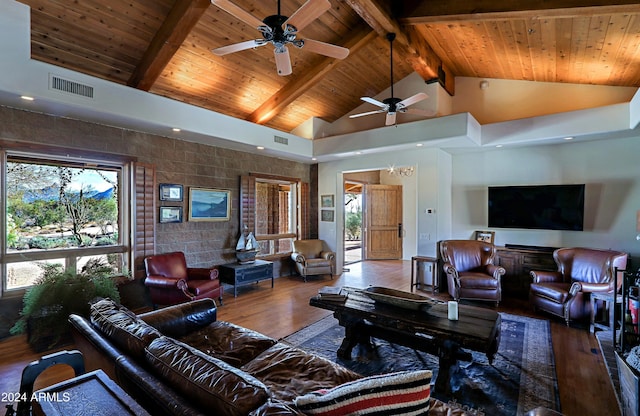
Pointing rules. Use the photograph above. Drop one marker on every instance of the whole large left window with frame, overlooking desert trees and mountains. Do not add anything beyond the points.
(64, 211)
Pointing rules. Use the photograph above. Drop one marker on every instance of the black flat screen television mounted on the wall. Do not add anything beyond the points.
(546, 207)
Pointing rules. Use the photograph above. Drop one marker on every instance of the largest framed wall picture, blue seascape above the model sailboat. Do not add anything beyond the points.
(209, 204)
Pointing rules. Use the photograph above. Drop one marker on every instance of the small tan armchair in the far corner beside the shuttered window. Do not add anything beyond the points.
(313, 257)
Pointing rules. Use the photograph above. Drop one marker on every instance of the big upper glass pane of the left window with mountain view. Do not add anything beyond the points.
(60, 206)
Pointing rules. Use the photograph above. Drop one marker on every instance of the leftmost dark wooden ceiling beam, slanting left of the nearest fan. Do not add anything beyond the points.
(174, 30)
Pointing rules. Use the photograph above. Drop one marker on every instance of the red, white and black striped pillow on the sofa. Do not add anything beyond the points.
(403, 393)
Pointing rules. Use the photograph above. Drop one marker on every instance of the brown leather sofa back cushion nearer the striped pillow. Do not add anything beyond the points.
(212, 383)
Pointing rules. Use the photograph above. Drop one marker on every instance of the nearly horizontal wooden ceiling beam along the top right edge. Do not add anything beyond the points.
(416, 12)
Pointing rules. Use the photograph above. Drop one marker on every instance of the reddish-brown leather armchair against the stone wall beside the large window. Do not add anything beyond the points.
(170, 281)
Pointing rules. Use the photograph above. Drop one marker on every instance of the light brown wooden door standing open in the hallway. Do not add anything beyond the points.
(383, 222)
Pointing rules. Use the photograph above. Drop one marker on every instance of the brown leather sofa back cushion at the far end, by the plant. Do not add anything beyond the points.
(122, 327)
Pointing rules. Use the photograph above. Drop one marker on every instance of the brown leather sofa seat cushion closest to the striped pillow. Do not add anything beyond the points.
(289, 372)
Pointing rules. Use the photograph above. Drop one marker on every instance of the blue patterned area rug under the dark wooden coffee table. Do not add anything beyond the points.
(522, 376)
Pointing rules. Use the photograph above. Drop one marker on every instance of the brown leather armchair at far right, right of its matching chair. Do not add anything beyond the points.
(581, 271)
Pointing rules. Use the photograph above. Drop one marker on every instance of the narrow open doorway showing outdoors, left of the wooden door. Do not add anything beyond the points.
(353, 230)
